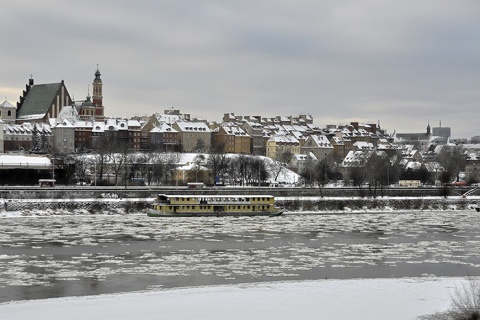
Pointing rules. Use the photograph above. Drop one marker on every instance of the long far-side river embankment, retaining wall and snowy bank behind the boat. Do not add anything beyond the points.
(134, 200)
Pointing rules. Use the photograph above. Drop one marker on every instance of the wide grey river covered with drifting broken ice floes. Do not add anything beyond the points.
(57, 256)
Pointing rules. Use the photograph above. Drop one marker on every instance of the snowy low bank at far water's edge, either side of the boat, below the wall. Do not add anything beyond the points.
(304, 205)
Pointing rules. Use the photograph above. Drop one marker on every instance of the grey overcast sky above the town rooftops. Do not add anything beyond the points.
(400, 63)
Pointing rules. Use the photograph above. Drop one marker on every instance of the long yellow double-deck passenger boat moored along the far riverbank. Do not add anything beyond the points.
(214, 205)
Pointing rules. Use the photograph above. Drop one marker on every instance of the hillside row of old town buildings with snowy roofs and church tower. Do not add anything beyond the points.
(47, 120)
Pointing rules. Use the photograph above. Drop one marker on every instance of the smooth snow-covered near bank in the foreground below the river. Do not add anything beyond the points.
(357, 299)
